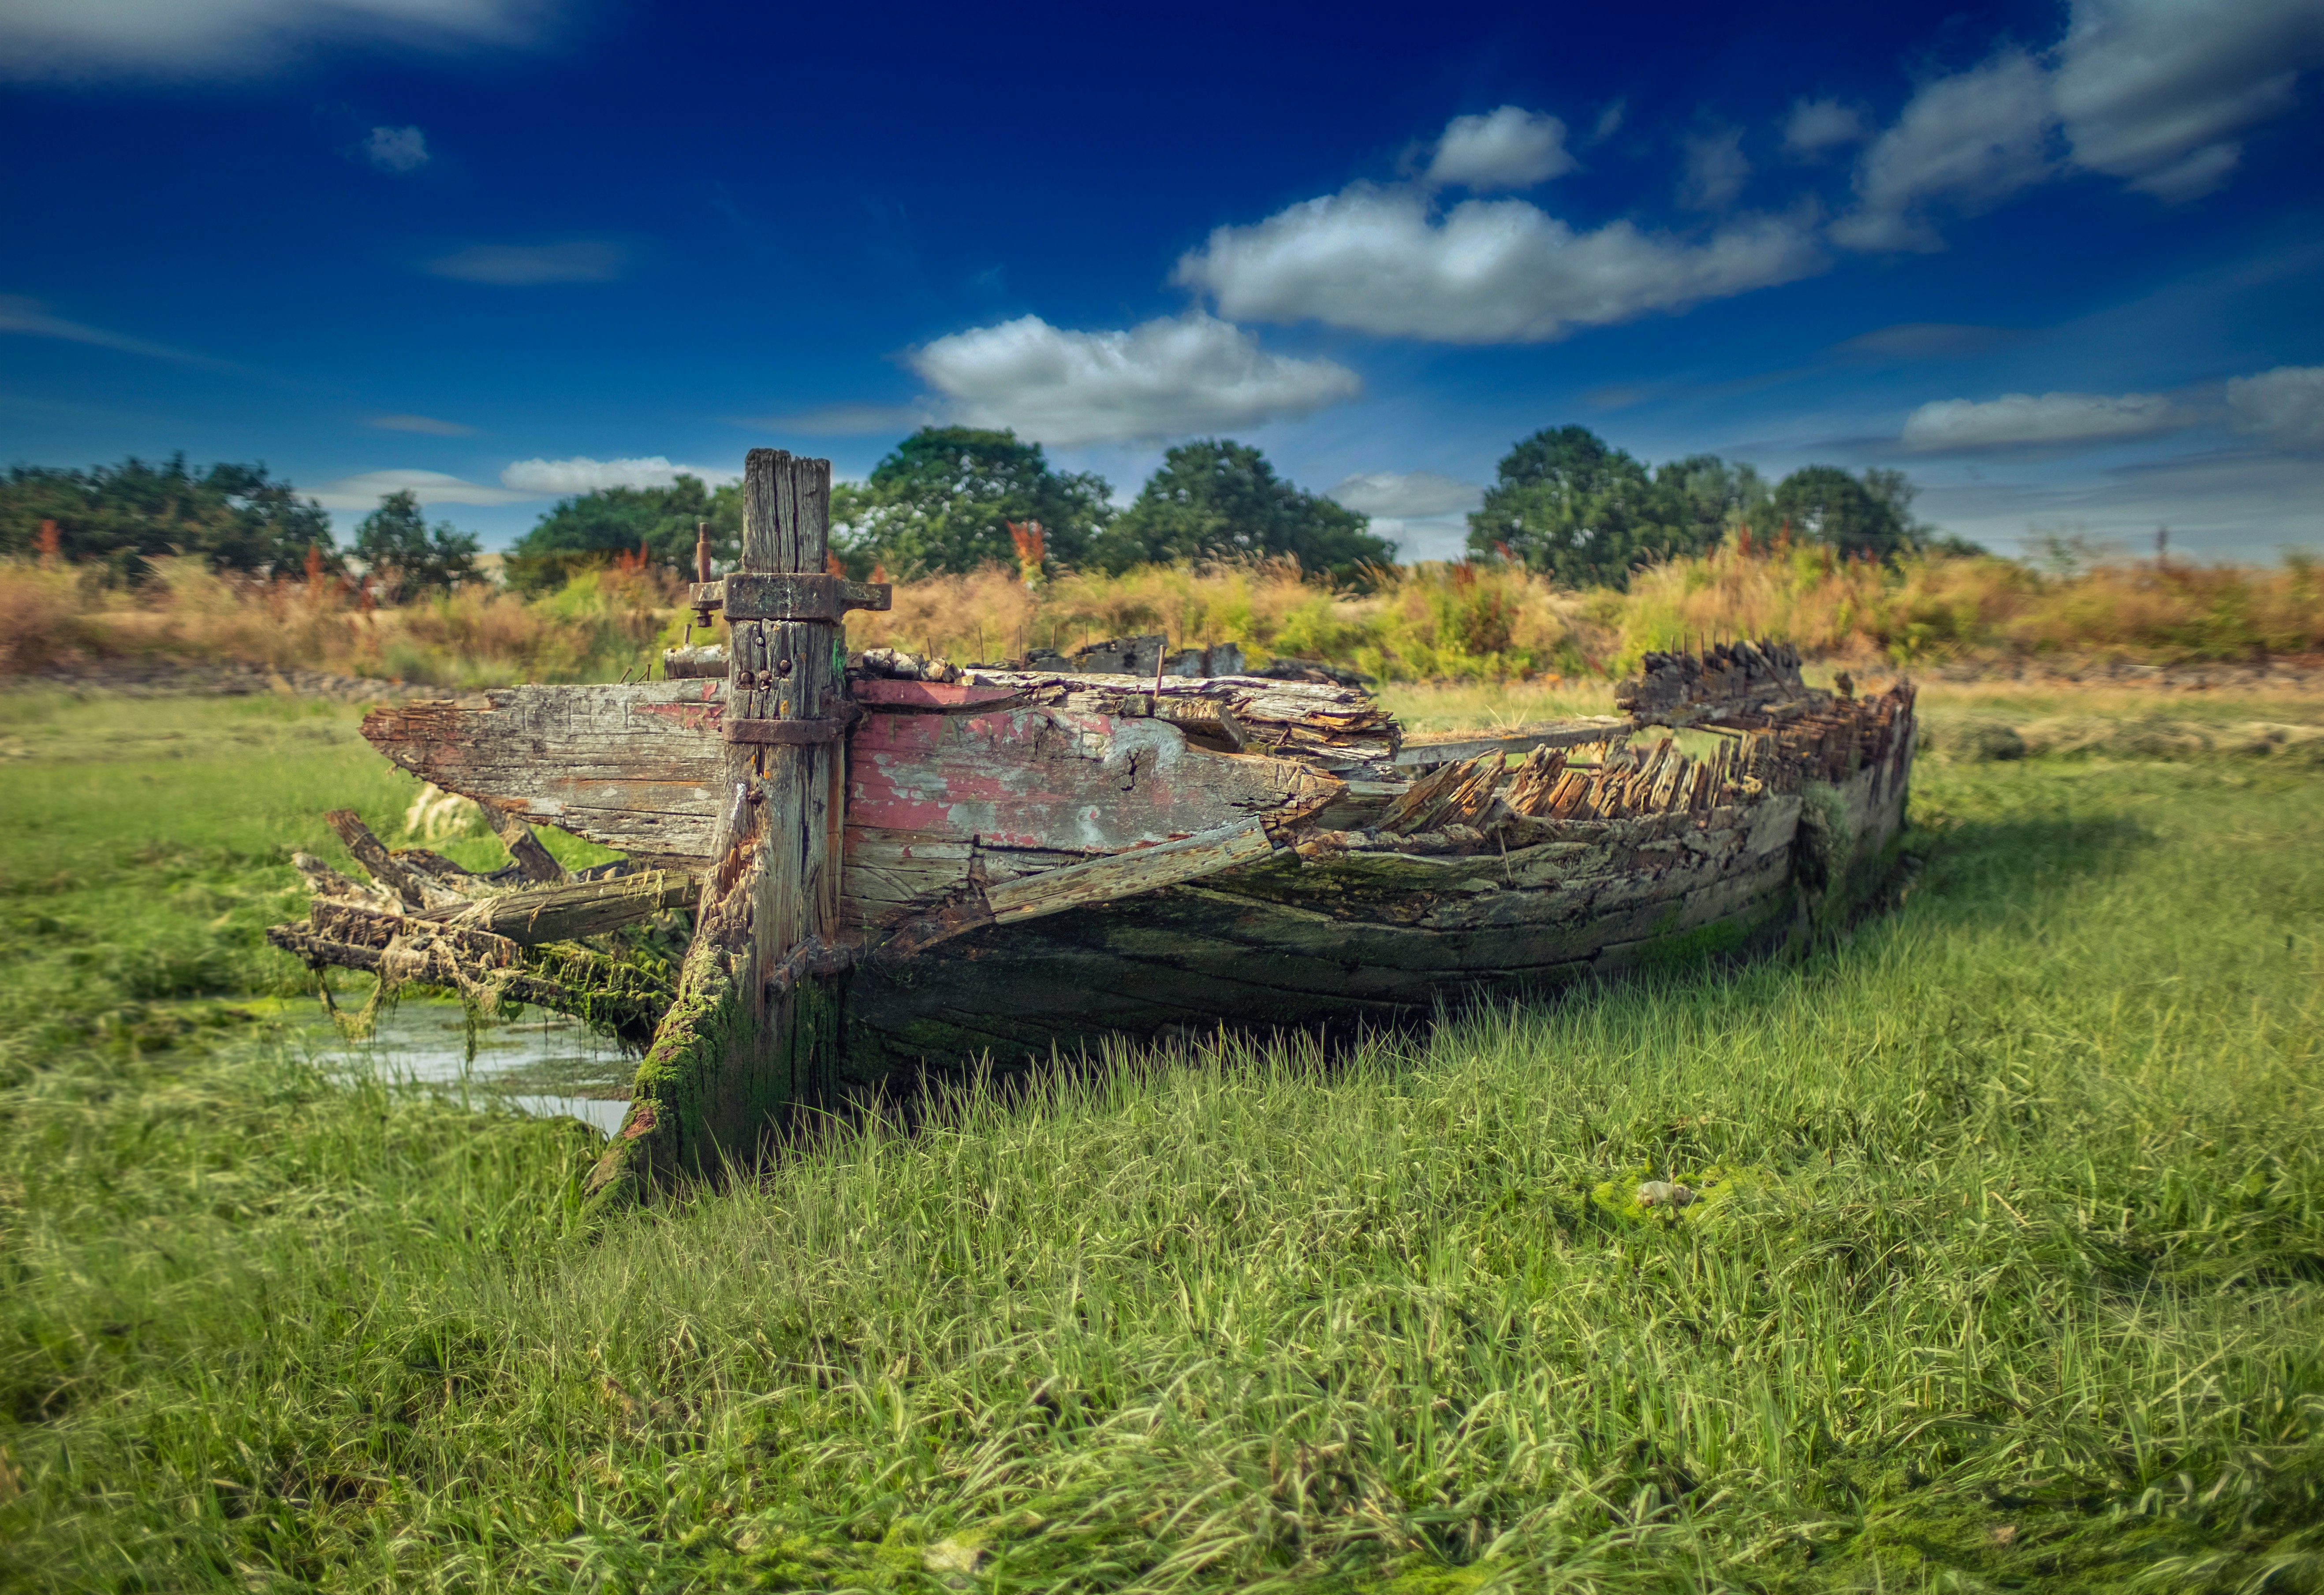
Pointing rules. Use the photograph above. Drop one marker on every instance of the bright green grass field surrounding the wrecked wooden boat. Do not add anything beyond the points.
(2011, 1271)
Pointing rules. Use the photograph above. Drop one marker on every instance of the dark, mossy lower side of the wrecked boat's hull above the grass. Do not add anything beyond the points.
(1375, 938)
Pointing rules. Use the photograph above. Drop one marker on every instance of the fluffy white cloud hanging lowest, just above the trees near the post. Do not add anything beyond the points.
(1159, 380)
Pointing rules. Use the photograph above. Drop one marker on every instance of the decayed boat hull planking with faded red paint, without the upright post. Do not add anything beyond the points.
(1035, 864)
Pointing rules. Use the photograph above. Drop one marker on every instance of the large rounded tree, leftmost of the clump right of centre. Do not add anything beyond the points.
(1572, 506)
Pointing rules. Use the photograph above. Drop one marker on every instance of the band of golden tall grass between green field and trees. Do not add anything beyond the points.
(1472, 624)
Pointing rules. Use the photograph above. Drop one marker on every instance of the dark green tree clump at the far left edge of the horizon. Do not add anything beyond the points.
(236, 517)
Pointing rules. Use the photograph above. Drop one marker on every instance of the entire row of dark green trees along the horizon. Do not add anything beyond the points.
(1565, 503)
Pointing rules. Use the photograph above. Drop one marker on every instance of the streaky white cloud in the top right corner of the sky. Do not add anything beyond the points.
(2156, 92)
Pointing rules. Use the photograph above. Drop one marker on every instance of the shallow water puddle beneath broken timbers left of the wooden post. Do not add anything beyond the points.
(538, 1064)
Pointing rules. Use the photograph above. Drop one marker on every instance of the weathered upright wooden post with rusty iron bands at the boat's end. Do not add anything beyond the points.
(756, 1020)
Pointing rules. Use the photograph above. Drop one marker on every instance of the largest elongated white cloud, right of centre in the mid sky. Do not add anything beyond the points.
(1489, 273)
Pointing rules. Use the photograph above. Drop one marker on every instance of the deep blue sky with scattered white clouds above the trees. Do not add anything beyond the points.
(2065, 264)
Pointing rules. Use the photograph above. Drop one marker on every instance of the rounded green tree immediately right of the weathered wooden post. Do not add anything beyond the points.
(947, 494)
